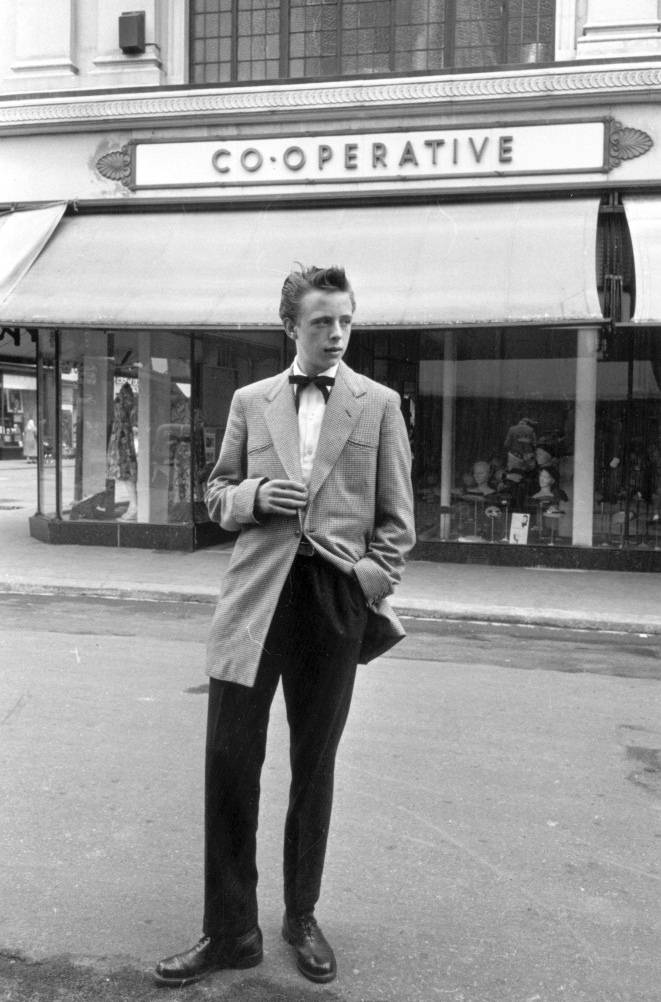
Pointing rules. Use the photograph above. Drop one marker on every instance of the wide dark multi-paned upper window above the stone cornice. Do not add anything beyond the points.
(241, 41)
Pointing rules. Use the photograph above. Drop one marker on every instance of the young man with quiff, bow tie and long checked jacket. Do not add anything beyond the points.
(315, 475)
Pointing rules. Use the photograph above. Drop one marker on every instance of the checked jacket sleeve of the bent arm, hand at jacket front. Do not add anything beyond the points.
(230, 494)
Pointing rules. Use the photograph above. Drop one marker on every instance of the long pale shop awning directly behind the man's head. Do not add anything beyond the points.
(411, 266)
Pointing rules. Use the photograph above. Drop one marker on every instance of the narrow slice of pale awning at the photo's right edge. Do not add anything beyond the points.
(644, 218)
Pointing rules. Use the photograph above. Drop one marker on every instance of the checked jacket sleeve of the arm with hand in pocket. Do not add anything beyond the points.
(380, 570)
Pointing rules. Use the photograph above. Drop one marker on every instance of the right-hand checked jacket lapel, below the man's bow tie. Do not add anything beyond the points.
(345, 406)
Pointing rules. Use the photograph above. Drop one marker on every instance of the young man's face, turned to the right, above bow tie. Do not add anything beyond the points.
(323, 330)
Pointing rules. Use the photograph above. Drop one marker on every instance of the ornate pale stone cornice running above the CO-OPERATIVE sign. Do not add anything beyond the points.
(548, 87)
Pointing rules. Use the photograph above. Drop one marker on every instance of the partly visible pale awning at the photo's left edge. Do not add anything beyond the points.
(24, 236)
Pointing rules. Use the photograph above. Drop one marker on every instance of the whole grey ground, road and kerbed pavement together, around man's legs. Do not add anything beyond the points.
(495, 836)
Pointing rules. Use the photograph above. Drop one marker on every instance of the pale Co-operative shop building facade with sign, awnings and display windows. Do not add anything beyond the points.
(489, 174)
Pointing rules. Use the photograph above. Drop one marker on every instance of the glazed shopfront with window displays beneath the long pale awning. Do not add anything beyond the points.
(527, 437)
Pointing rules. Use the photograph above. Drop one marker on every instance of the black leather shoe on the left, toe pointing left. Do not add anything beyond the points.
(208, 956)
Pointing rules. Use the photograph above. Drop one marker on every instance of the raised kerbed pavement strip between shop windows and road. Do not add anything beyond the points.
(621, 602)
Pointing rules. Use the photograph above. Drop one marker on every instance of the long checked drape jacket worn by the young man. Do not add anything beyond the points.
(360, 515)
